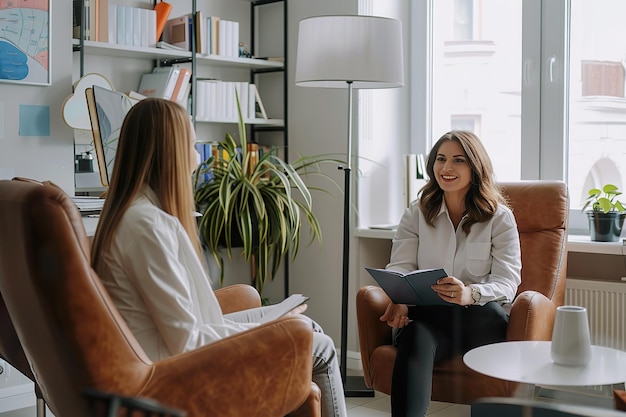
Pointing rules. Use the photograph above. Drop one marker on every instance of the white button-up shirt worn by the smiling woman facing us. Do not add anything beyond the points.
(489, 256)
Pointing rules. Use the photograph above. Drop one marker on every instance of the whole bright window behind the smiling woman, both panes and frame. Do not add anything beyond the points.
(544, 88)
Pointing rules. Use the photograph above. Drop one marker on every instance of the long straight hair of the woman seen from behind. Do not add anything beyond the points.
(154, 149)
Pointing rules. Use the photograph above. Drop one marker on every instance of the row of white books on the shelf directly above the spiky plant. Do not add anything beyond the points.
(216, 100)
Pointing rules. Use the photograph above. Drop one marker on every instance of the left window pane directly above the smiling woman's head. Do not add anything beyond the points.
(476, 77)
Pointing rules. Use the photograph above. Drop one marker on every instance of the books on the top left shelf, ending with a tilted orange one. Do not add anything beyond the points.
(124, 25)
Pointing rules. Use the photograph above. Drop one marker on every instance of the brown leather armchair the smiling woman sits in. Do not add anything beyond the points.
(541, 211)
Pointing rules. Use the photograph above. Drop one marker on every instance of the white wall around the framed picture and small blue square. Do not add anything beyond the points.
(50, 157)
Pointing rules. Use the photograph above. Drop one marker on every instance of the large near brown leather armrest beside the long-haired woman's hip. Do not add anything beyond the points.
(272, 361)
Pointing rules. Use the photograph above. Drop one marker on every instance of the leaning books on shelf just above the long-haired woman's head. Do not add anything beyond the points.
(171, 83)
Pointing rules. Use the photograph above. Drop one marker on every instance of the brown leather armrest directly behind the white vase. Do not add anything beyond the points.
(532, 317)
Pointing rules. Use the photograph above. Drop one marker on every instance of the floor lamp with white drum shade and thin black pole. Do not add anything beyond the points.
(349, 52)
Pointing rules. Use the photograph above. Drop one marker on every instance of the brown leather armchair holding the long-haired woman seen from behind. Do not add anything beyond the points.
(74, 338)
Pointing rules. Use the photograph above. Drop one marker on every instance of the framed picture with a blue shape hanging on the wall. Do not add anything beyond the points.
(25, 42)
